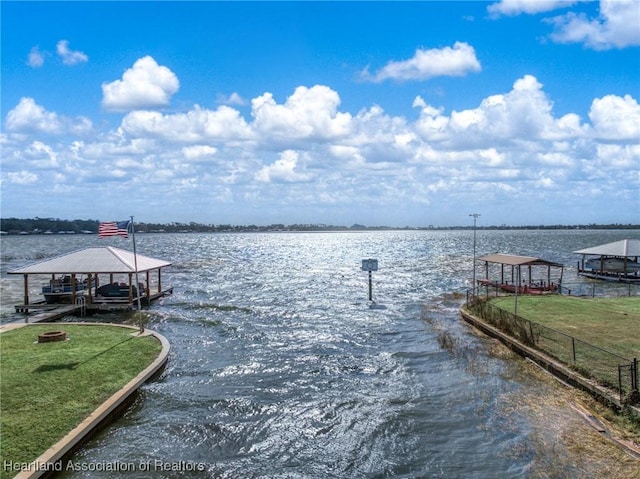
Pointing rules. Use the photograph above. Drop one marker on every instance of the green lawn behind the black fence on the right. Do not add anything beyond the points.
(609, 323)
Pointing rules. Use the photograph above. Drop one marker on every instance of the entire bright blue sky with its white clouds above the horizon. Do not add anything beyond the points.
(378, 113)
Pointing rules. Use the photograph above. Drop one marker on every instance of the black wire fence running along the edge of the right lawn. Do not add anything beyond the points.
(606, 368)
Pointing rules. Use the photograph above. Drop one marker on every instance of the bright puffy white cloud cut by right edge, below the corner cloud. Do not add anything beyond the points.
(616, 118)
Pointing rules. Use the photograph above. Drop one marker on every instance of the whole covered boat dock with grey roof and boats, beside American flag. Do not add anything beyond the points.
(75, 278)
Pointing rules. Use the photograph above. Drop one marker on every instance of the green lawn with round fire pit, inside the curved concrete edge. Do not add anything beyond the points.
(47, 389)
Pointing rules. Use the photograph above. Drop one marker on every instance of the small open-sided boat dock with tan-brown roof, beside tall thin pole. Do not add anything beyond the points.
(540, 276)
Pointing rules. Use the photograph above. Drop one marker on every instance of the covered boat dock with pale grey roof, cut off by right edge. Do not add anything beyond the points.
(617, 261)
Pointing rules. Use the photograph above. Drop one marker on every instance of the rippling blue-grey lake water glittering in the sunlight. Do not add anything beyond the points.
(280, 368)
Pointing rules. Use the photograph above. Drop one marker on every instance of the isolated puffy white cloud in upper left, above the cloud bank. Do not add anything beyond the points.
(145, 85)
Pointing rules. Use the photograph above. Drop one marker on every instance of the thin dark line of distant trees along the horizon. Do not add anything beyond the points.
(60, 226)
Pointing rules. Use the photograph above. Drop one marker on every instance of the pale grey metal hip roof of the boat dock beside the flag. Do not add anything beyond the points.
(103, 259)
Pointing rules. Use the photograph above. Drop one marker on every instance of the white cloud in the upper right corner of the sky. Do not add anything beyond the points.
(618, 26)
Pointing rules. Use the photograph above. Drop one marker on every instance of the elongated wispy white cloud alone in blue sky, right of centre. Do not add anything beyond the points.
(457, 61)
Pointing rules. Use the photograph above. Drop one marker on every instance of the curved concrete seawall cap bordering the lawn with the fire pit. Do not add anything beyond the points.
(43, 465)
